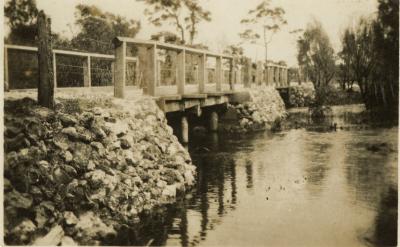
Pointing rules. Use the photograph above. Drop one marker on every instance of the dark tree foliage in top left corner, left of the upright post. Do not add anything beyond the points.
(21, 17)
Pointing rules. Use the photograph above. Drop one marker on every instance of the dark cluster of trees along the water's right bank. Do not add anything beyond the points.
(369, 57)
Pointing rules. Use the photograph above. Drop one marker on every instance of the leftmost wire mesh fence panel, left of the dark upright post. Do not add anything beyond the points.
(22, 69)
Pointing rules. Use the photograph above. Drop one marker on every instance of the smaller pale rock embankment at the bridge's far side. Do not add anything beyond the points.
(264, 111)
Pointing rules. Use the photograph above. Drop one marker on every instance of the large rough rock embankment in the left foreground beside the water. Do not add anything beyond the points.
(77, 174)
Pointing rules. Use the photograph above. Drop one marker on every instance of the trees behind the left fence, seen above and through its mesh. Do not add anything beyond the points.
(94, 31)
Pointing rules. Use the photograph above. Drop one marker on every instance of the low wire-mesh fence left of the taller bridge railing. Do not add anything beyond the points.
(71, 68)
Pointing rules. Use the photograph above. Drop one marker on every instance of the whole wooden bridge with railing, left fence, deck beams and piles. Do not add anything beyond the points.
(180, 78)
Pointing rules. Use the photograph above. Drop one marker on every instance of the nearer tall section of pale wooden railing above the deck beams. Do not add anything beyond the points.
(148, 53)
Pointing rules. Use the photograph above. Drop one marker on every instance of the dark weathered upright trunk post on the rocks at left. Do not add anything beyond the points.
(45, 55)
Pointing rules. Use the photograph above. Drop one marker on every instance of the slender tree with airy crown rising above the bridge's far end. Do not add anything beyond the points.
(263, 21)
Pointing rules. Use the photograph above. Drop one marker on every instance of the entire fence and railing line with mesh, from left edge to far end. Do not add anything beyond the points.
(157, 68)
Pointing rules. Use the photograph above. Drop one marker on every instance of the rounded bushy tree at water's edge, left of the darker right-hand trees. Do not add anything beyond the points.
(316, 56)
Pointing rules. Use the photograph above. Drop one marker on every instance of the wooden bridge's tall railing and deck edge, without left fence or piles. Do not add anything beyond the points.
(182, 77)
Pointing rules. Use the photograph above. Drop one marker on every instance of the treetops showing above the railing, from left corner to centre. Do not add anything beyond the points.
(97, 28)
